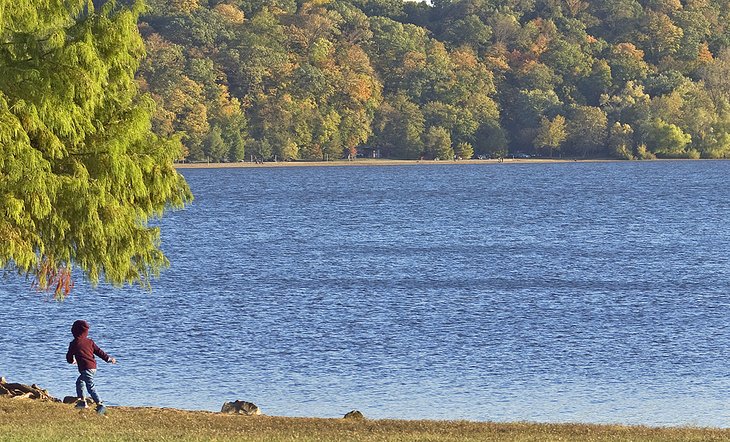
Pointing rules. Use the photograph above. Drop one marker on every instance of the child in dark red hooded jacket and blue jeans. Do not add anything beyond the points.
(81, 351)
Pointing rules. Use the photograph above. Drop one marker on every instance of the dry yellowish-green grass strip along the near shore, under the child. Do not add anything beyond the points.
(25, 420)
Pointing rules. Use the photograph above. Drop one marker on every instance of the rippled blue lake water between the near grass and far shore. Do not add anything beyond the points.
(562, 292)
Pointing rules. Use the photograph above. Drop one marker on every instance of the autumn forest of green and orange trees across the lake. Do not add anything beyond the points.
(323, 79)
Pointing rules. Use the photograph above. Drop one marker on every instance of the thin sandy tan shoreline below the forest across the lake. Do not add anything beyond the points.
(386, 162)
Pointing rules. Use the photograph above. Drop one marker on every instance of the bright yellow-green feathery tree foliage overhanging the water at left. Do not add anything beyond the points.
(81, 173)
